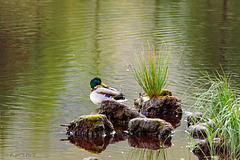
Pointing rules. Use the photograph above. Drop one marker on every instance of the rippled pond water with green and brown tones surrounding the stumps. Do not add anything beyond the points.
(50, 50)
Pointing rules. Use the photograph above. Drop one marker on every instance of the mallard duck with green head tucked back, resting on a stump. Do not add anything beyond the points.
(98, 94)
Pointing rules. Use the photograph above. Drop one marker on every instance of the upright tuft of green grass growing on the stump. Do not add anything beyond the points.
(151, 73)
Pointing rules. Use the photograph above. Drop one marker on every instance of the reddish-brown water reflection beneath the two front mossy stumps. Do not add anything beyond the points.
(100, 143)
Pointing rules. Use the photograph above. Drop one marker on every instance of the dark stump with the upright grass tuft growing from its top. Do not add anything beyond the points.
(165, 107)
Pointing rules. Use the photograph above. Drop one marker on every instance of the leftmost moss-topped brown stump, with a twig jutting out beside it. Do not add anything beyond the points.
(90, 125)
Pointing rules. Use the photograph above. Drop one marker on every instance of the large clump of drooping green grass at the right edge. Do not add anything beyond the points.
(220, 103)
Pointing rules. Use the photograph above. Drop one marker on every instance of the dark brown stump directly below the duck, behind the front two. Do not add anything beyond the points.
(118, 113)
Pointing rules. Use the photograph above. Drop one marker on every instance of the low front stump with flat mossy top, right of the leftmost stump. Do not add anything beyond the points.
(150, 127)
